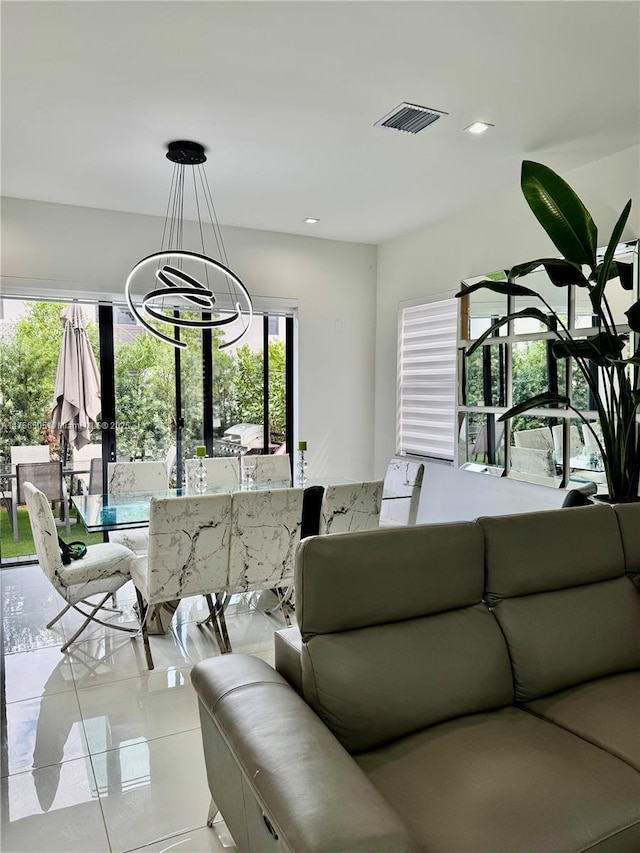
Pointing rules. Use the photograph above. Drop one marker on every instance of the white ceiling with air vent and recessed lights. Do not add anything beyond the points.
(284, 96)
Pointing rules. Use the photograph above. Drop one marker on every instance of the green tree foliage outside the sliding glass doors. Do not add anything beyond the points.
(145, 385)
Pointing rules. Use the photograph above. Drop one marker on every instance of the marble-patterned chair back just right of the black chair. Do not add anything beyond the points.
(351, 507)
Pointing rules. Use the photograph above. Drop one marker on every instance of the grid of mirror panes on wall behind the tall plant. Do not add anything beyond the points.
(510, 370)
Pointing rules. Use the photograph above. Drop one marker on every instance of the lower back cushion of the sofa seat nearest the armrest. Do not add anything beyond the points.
(373, 685)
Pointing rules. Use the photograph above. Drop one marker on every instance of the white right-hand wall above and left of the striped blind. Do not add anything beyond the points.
(495, 235)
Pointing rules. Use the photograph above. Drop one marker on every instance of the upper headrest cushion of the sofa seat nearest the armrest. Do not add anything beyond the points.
(354, 580)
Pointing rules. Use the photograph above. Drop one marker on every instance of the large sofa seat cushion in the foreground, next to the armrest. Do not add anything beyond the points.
(508, 782)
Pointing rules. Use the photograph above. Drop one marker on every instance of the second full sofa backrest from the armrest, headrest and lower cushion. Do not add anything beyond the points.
(556, 583)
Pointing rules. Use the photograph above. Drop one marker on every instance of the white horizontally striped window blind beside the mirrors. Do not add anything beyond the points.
(427, 378)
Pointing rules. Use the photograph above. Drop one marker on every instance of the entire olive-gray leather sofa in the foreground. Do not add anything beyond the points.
(472, 686)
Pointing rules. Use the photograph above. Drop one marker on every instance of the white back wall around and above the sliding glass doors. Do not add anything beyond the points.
(92, 251)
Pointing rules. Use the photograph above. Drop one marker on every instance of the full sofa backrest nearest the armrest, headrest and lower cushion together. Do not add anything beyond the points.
(395, 635)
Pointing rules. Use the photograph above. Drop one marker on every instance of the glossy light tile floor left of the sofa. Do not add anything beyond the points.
(99, 754)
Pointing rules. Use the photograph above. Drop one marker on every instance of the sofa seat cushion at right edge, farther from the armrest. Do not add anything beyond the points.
(605, 712)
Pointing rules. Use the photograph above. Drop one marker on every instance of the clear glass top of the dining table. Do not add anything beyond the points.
(101, 513)
